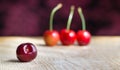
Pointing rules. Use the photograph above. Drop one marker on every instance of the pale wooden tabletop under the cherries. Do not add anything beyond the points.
(103, 53)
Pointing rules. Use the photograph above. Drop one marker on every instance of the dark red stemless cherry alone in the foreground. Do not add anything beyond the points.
(26, 52)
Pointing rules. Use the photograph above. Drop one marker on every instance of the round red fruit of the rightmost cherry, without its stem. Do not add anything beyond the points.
(83, 37)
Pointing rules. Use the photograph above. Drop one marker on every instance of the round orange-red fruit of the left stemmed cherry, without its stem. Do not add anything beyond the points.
(51, 38)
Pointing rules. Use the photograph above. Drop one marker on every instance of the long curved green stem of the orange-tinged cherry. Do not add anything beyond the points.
(52, 15)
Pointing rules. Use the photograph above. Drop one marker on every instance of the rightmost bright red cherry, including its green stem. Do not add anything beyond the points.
(83, 36)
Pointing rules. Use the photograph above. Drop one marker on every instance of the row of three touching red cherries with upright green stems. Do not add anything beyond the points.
(67, 36)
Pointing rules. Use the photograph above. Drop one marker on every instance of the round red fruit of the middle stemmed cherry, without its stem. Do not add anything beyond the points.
(67, 37)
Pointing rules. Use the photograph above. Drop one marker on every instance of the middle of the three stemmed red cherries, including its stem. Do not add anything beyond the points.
(68, 36)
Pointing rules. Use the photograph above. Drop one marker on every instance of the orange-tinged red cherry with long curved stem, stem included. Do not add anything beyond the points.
(51, 37)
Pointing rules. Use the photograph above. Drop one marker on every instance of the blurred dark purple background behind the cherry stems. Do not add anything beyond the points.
(31, 17)
